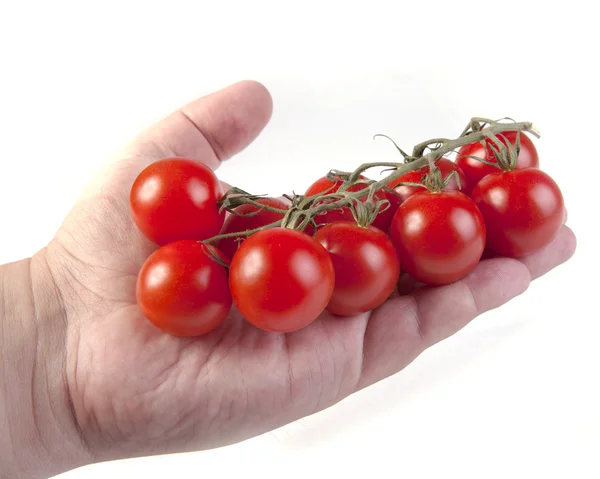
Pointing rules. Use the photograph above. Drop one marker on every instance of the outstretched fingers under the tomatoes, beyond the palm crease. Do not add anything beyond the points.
(405, 326)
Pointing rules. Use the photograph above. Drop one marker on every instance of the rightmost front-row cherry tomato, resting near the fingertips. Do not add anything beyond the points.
(523, 210)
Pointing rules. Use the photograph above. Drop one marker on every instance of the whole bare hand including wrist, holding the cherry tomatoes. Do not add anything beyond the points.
(106, 384)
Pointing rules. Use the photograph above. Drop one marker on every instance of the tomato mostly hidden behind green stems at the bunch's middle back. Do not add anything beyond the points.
(383, 219)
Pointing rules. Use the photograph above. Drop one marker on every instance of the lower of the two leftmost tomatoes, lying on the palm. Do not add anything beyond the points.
(182, 290)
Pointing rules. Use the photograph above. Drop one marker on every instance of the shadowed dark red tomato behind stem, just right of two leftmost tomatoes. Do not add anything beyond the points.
(235, 223)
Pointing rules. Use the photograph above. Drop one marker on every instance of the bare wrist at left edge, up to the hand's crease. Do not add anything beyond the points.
(38, 431)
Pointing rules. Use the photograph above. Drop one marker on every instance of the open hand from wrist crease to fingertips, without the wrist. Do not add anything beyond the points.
(137, 391)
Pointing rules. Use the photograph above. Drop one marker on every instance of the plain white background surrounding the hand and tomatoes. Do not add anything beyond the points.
(515, 393)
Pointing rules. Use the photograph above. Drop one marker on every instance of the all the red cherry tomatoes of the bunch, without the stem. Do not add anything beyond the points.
(281, 279)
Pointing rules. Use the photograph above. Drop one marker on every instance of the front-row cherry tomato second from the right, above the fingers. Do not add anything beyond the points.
(439, 237)
